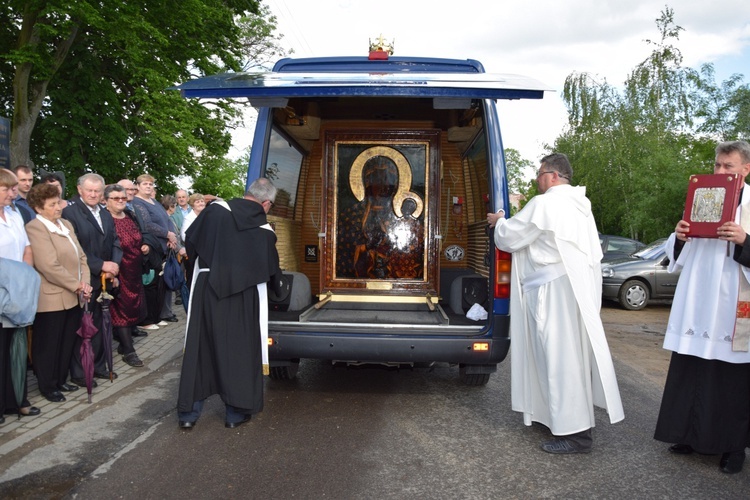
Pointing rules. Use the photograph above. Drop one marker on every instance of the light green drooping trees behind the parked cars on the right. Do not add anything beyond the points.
(634, 148)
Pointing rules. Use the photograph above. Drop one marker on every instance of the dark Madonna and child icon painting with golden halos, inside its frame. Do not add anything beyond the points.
(380, 228)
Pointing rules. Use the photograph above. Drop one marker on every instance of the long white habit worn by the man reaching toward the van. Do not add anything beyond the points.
(560, 361)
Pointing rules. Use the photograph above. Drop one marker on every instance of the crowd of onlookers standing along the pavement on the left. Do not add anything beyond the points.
(108, 238)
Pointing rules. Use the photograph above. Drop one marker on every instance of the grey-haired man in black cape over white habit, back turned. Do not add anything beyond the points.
(234, 251)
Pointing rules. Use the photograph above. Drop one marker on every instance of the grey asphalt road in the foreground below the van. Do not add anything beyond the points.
(371, 433)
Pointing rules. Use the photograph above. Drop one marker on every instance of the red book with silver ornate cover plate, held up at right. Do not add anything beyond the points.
(711, 201)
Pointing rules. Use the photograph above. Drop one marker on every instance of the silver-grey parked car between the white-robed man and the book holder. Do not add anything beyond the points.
(635, 280)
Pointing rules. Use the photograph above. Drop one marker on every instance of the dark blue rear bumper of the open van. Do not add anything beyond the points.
(392, 346)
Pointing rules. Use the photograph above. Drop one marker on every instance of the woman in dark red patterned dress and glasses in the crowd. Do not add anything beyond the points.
(129, 306)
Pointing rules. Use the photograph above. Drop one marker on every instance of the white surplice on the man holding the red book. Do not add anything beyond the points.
(703, 314)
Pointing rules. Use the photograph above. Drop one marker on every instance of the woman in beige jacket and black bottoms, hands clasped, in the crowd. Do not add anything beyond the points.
(63, 268)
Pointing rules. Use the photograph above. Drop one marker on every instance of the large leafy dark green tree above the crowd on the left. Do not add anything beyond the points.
(90, 81)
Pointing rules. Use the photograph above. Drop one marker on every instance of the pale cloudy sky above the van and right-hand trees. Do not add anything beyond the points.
(543, 39)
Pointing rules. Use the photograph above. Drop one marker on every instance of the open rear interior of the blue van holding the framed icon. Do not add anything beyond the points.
(381, 211)
